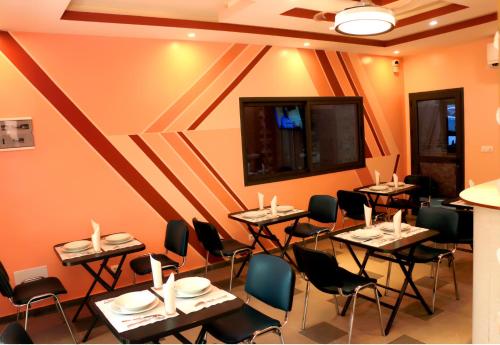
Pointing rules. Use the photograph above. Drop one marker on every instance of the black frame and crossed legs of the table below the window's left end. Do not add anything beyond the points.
(260, 229)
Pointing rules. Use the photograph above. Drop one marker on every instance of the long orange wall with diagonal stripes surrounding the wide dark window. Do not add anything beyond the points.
(154, 91)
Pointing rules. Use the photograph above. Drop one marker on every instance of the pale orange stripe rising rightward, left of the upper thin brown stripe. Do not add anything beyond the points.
(187, 98)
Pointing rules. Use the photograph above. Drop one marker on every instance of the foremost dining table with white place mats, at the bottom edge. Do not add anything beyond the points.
(153, 327)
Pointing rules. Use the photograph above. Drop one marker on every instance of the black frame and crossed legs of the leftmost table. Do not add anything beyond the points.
(104, 257)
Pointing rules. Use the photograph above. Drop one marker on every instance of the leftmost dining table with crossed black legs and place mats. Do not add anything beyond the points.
(86, 257)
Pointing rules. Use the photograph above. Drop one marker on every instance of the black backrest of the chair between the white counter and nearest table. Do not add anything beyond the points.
(440, 219)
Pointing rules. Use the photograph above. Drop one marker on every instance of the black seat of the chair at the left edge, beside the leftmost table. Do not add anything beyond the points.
(24, 292)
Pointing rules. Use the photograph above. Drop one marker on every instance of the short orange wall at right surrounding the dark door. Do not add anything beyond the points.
(463, 66)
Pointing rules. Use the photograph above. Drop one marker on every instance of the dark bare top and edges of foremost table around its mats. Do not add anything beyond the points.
(155, 331)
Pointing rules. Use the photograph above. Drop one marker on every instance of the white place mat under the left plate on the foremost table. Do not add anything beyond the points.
(124, 323)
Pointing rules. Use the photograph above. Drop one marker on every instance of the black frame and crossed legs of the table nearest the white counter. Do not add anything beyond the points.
(405, 265)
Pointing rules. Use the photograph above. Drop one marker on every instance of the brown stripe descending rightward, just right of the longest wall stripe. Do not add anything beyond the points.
(177, 183)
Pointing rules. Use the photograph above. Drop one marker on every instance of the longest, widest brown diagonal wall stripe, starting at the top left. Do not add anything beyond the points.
(42, 82)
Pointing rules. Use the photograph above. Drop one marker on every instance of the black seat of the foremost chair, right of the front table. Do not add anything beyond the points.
(240, 325)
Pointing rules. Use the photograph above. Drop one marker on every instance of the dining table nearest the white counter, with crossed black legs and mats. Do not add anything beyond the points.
(385, 248)
